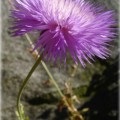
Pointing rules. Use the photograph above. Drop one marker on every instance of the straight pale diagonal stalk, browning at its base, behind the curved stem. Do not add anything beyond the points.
(68, 102)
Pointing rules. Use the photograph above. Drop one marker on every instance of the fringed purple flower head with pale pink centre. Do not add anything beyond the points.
(67, 26)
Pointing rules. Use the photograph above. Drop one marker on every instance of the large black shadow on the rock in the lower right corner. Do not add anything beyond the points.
(103, 92)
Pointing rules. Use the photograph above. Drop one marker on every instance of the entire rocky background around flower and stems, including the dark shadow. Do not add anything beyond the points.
(96, 86)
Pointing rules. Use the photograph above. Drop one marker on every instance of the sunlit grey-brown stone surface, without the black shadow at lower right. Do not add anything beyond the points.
(40, 100)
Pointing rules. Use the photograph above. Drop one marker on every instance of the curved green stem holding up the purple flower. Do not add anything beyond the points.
(25, 83)
